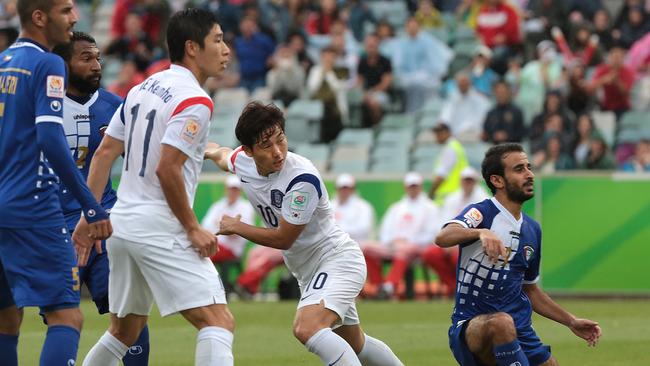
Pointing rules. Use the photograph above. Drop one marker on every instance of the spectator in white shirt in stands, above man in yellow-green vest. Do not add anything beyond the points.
(465, 110)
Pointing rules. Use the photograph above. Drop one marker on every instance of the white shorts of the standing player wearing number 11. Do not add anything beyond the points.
(177, 279)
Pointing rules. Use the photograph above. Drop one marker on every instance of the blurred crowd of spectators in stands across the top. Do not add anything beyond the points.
(365, 82)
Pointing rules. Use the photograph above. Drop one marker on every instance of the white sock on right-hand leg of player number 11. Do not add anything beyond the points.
(214, 347)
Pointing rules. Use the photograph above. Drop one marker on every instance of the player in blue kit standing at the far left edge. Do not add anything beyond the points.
(36, 254)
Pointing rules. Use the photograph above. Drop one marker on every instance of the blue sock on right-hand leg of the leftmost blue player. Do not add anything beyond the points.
(60, 346)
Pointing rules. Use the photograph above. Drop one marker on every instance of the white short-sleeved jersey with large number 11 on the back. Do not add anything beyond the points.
(170, 108)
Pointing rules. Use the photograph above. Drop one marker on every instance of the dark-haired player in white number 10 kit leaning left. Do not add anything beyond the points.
(294, 204)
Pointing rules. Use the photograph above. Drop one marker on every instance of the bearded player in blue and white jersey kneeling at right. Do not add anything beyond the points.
(498, 271)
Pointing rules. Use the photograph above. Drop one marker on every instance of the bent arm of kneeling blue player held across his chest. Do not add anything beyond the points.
(455, 234)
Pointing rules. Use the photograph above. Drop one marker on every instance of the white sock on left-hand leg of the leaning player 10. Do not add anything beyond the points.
(332, 349)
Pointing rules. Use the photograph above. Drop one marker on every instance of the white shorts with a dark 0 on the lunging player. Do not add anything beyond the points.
(337, 282)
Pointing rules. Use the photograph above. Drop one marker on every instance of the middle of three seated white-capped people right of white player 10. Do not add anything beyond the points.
(407, 229)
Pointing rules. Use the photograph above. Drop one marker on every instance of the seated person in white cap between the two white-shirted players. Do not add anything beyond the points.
(231, 247)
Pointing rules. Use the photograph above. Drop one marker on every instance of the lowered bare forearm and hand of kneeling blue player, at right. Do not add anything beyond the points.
(545, 306)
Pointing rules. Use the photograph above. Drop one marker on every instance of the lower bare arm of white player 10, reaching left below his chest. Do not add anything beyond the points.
(281, 237)
